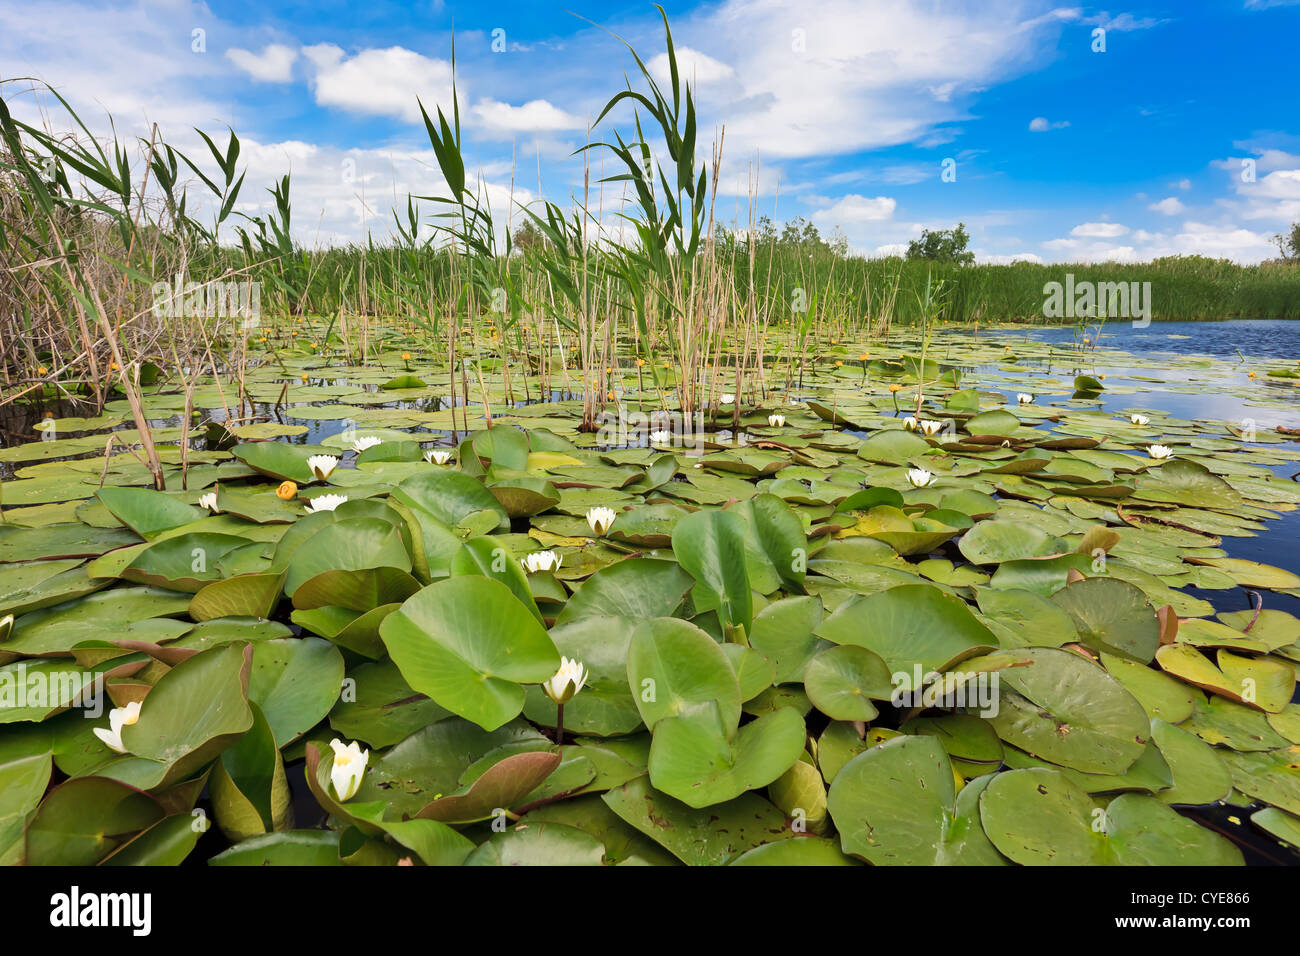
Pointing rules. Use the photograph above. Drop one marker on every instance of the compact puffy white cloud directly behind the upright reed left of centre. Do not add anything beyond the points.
(383, 83)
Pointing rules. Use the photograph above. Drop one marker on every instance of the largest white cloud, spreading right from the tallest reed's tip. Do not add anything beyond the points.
(840, 76)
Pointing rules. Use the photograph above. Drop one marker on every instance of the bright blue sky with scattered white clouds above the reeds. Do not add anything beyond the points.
(847, 110)
